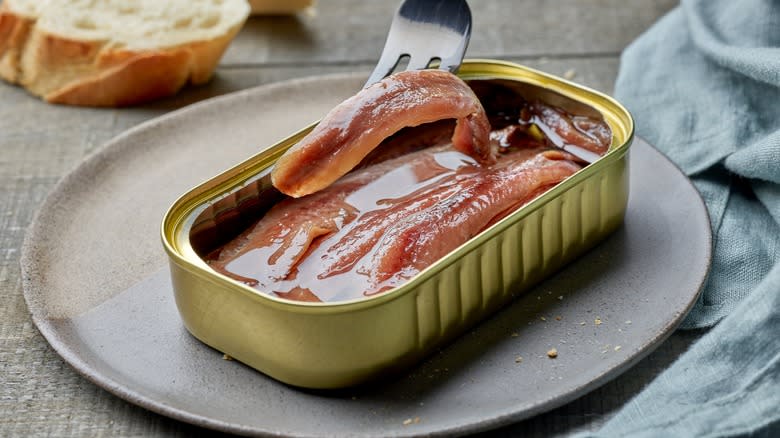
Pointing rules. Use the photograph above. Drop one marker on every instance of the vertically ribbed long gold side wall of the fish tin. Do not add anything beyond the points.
(527, 251)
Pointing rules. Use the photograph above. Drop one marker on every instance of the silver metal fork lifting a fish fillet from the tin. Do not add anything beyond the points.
(427, 31)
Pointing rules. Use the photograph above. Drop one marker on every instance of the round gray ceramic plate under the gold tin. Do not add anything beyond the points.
(97, 287)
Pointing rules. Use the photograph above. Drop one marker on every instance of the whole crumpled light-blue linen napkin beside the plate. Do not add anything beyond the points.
(704, 87)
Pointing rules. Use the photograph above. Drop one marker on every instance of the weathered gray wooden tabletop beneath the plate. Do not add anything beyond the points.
(39, 143)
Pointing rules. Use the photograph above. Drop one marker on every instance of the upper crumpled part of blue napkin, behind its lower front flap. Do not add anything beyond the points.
(704, 87)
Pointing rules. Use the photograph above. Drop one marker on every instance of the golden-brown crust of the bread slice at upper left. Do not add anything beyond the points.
(96, 73)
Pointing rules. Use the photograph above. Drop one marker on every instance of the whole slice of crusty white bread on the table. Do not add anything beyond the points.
(114, 52)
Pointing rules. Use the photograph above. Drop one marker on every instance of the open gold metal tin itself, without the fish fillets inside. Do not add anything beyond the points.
(332, 345)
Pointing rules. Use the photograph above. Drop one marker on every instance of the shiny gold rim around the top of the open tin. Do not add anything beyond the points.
(185, 207)
